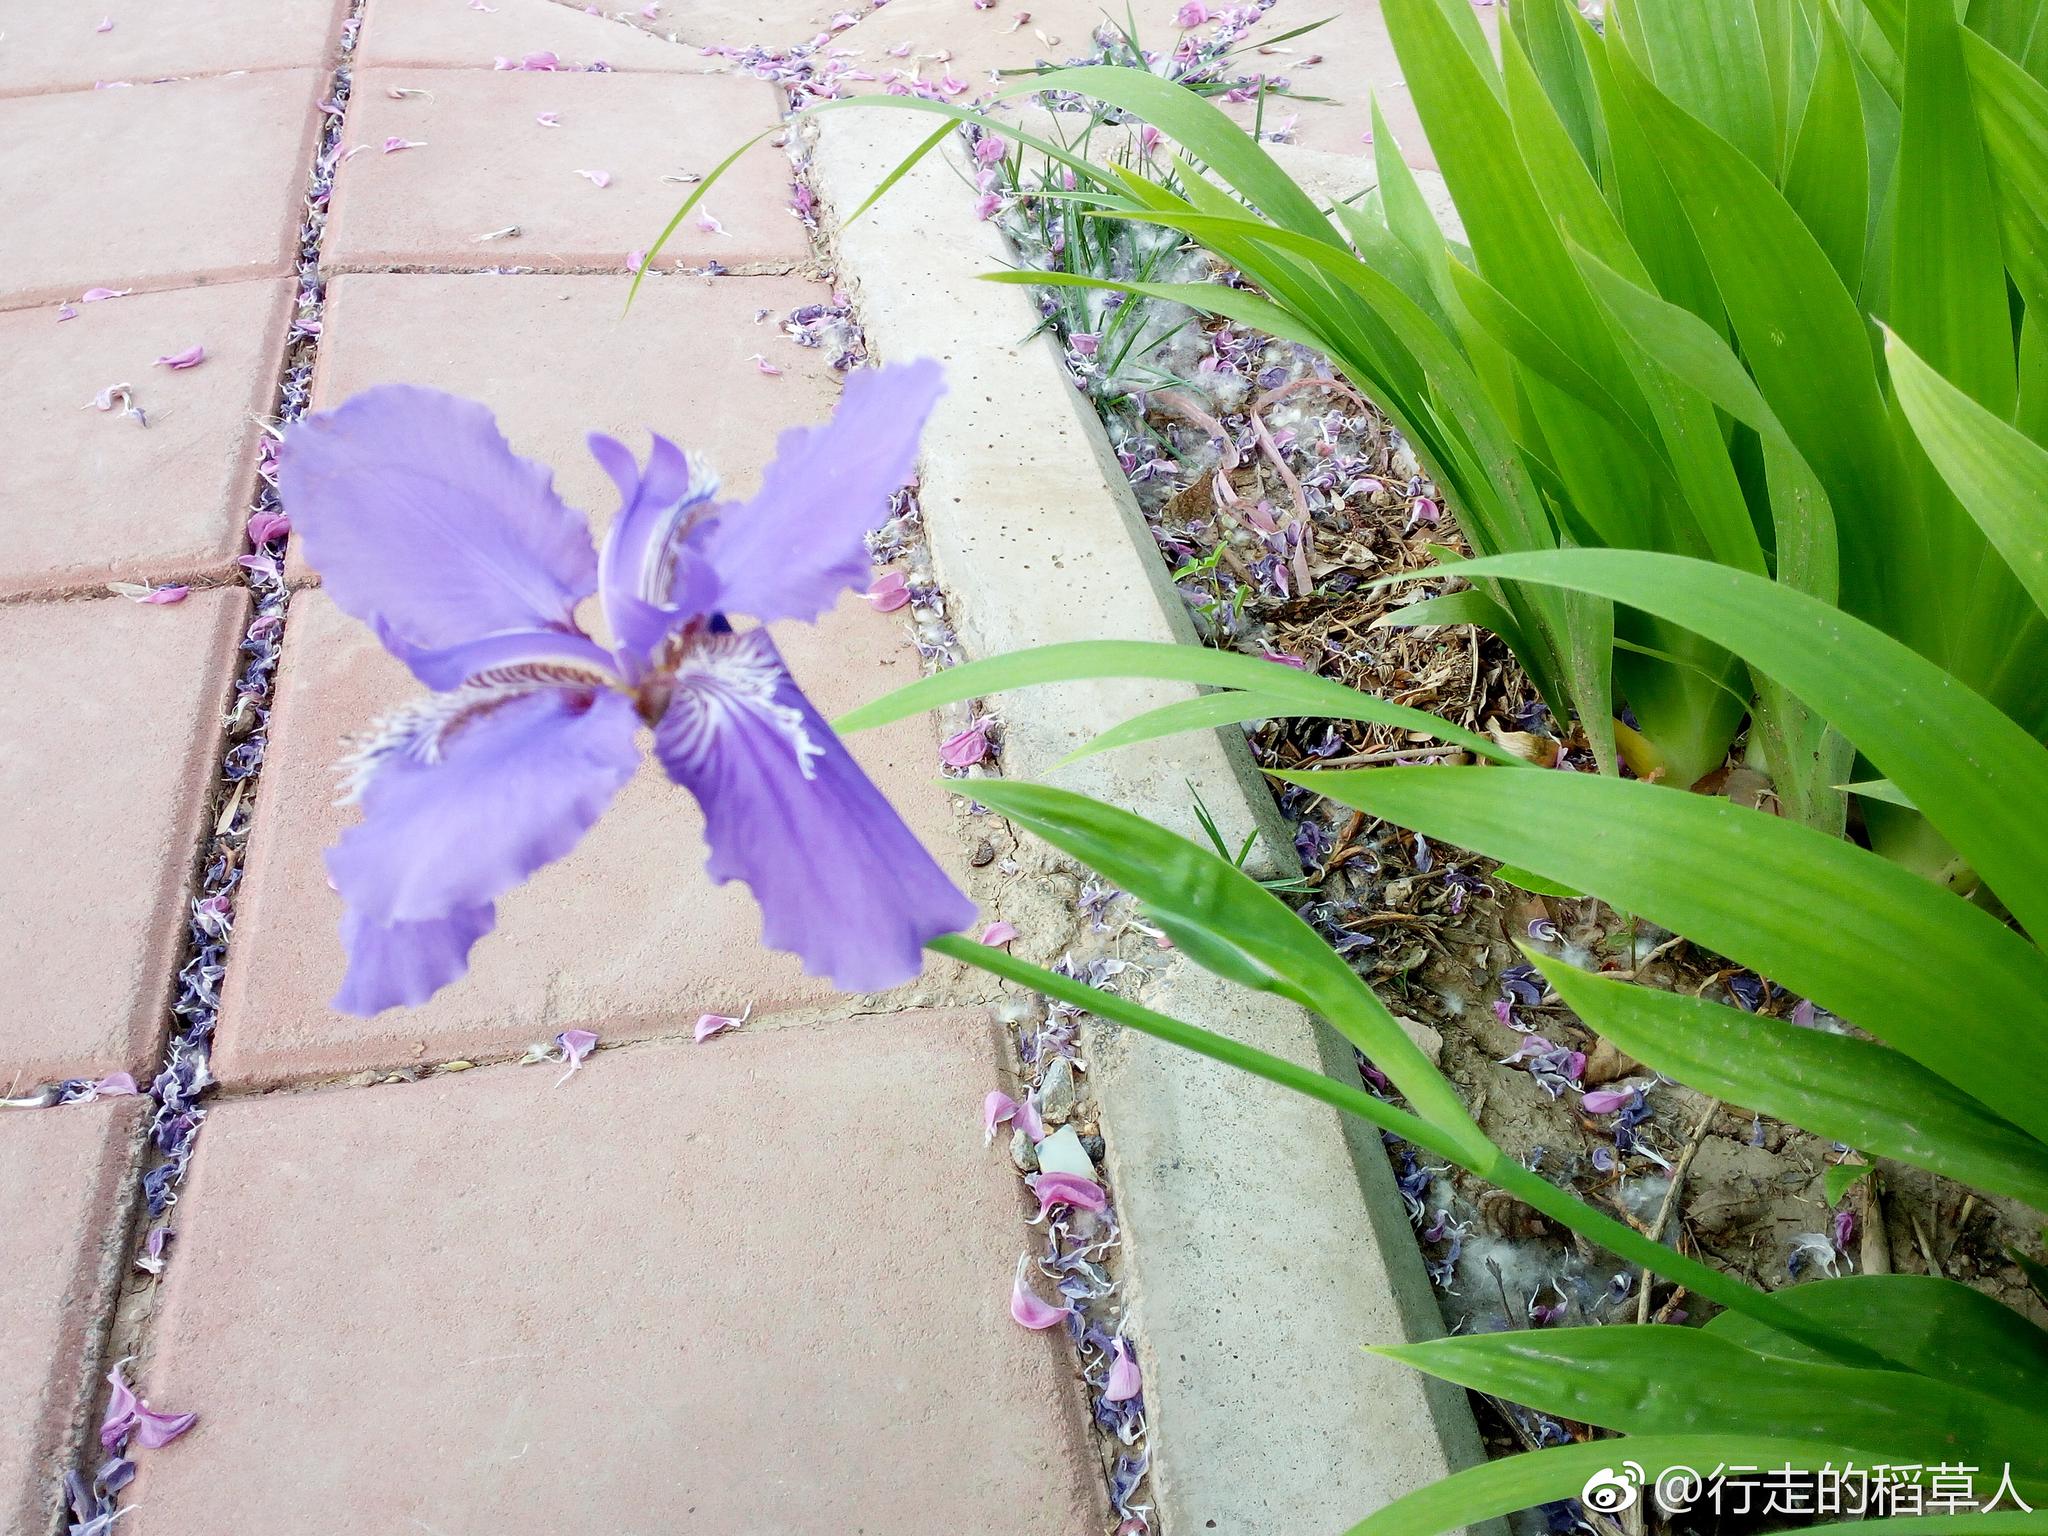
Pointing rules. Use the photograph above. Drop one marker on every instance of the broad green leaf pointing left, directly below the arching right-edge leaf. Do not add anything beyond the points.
(1869, 941)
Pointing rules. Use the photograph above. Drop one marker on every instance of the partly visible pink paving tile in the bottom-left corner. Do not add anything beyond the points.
(62, 1228)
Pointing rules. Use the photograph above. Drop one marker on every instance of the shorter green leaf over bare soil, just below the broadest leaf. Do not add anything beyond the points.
(1836, 1086)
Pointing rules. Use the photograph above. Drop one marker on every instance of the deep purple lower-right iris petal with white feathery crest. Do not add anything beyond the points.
(843, 884)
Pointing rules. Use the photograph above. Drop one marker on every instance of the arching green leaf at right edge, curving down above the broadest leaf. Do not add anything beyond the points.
(1971, 771)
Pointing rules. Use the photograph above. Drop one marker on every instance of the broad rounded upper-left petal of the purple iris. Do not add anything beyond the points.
(421, 519)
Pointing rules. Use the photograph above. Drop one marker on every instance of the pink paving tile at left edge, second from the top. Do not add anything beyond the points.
(153, 187)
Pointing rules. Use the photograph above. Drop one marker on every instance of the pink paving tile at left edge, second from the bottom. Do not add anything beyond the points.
(114, 734)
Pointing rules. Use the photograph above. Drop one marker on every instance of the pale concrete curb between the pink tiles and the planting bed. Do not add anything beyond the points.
(1265, 1234)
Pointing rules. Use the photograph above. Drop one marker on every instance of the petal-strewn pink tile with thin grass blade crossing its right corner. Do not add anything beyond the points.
(486, 165)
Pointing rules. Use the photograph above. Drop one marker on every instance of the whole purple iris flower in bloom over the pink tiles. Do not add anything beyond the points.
(429, 529)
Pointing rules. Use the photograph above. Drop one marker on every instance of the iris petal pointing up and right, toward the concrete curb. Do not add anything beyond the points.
(800, 544)
